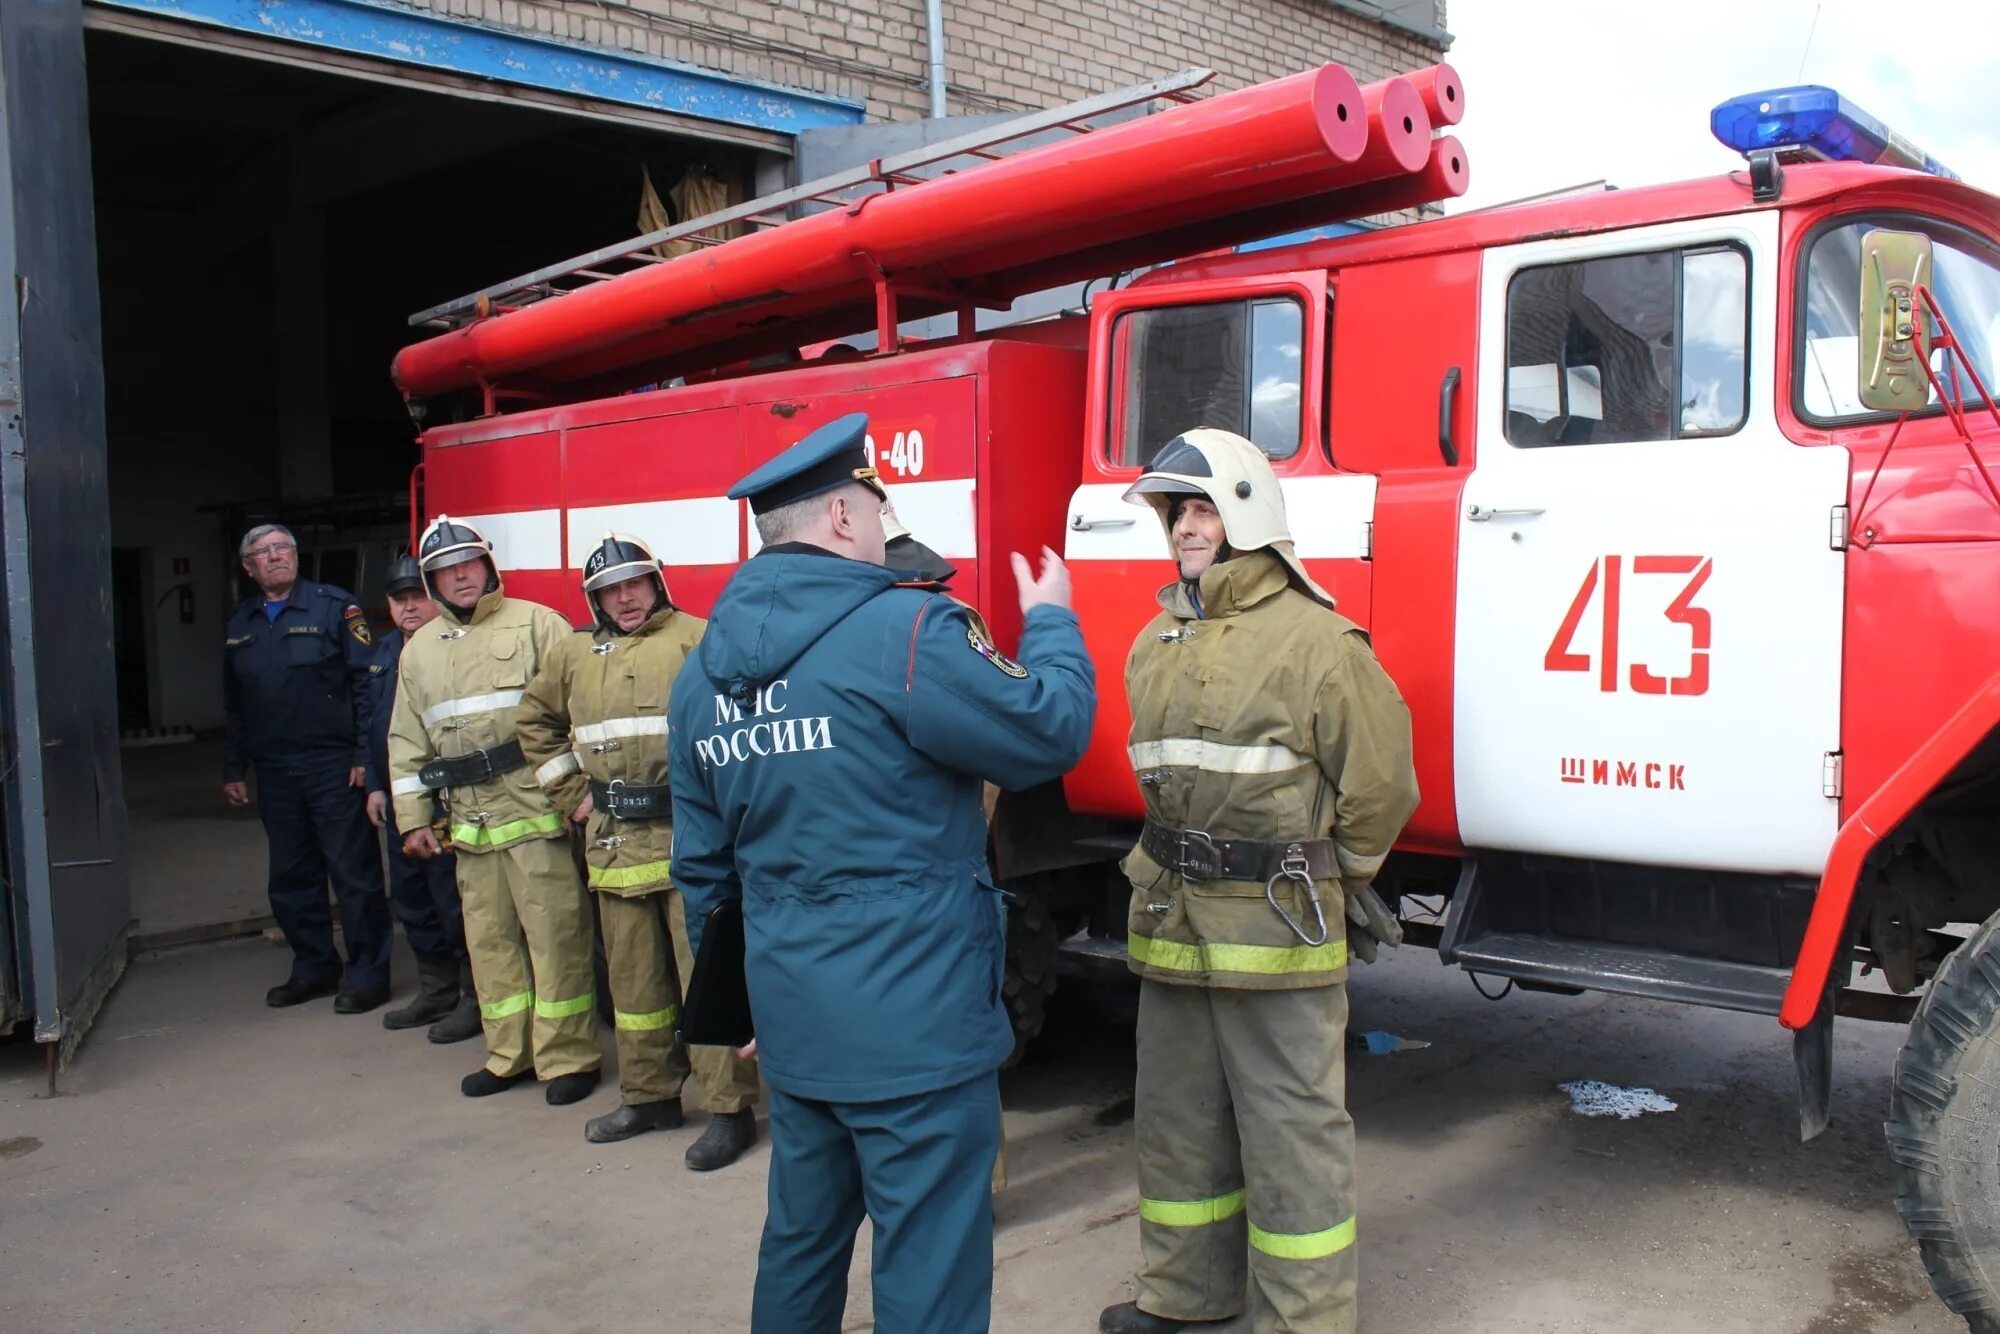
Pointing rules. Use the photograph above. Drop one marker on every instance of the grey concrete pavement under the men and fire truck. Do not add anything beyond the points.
(213, 1165)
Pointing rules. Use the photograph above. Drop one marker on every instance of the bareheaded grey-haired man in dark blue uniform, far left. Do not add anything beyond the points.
(295, 685)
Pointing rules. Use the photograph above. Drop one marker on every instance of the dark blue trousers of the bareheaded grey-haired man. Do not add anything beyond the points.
(319, 831)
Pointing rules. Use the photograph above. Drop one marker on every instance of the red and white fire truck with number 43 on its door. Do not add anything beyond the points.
(1667, 509)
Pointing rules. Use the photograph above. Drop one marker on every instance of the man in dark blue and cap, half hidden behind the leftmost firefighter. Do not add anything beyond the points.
(423, 895)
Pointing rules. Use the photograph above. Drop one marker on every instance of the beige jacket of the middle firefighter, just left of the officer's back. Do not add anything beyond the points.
(597, 711)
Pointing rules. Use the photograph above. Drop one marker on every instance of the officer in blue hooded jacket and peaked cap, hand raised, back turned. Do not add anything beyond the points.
(829, 743)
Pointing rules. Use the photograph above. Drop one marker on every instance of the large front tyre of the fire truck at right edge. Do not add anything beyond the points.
(1945, 1131)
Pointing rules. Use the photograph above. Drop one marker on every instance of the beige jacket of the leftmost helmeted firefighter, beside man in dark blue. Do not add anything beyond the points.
(457, 691)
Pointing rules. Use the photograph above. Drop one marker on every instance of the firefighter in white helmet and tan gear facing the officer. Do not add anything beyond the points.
(1275, 761)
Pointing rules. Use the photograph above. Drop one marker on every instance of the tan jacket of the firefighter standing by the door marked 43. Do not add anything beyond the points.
(1267, 719)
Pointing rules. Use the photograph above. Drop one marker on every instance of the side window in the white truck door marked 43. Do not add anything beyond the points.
(1631, 347)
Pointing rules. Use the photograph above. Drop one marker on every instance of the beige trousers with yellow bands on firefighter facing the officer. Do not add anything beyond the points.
(1245, 1157)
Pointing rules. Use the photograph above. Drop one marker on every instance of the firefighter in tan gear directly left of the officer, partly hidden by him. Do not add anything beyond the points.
(595, 729)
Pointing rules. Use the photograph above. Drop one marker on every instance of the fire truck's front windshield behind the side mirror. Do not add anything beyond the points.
(1967, 287)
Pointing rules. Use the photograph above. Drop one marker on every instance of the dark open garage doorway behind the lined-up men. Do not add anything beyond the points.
(263, 233)
